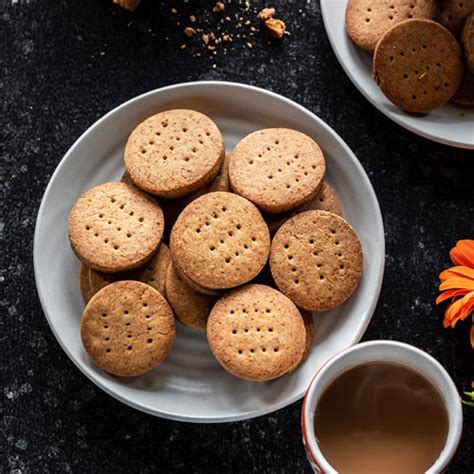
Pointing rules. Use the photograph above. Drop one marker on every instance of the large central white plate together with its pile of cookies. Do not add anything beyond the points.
(204, 248)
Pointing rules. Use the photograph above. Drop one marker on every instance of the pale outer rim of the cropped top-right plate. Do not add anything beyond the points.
(325, 7)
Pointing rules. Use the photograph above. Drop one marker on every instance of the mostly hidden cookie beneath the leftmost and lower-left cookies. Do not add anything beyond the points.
(153, 273)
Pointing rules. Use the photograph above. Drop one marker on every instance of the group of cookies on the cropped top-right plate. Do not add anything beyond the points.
(423, 49)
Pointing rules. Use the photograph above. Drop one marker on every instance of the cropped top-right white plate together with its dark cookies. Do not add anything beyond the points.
(412, 59)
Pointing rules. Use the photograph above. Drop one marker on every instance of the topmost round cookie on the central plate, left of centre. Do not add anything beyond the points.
(175, 152)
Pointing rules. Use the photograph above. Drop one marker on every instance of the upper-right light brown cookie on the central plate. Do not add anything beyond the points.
(278, 169)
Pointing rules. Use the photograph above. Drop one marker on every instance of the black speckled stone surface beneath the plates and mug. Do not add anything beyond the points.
(63, 65)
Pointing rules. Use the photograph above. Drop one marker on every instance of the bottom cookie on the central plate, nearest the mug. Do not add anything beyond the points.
(256, 333)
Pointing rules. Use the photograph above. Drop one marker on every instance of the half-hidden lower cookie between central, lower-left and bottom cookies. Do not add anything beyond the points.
(190, 308)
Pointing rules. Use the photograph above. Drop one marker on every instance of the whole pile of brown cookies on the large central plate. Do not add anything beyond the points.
(244, 247)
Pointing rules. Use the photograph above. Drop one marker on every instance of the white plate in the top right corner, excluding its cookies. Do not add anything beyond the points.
(447, 124)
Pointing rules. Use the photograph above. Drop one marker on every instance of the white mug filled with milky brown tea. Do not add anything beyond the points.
(381, 406)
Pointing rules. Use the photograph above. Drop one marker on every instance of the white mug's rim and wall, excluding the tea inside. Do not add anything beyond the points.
(382, 351)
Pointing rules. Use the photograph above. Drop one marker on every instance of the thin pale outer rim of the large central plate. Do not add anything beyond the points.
(380, 265)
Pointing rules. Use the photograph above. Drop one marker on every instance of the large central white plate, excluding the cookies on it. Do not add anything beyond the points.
(190, 385)
